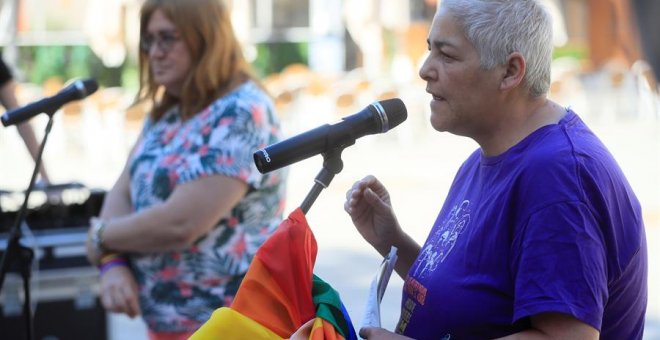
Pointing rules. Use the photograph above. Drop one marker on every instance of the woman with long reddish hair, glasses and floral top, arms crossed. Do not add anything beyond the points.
(179, 227)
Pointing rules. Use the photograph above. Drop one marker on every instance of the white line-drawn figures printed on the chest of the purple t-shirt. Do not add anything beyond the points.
(442, 241)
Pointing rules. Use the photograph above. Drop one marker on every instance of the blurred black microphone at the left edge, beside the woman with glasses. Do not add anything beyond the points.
(79, 89)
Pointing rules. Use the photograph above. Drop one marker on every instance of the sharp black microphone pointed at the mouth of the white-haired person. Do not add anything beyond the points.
(379, 117)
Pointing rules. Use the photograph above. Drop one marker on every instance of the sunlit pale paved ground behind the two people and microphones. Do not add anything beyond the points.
(416, 164)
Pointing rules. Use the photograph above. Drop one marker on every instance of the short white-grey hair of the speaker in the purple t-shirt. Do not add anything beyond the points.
(498, 28)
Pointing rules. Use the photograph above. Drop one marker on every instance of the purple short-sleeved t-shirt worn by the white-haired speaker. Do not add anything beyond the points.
(551, 225)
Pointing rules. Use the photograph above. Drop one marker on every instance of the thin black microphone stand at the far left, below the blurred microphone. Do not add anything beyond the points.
(15, 251)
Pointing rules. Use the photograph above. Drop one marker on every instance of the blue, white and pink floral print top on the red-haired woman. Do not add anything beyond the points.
(180, 289)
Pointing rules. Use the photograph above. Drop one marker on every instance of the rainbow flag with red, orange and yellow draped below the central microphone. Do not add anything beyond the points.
(280, 297)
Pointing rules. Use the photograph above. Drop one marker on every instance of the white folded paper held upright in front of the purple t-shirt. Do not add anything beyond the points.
(378, 285)
